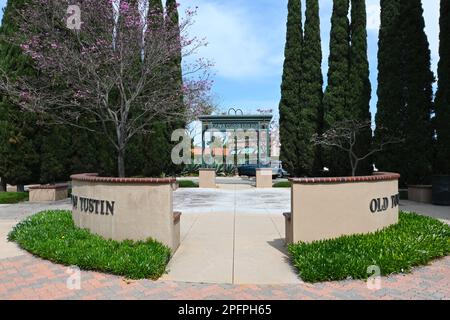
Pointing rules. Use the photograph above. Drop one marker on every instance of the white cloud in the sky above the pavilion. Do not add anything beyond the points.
(236, 43)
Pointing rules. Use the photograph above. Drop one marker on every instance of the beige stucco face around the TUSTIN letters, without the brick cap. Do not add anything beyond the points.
(141, 211)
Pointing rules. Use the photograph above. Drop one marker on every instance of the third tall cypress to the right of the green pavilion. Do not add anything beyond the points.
(335, 101)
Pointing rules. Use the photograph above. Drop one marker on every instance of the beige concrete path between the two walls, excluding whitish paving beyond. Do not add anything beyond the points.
(233, 249)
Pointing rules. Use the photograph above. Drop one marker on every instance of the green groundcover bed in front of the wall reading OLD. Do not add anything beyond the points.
(414, 241)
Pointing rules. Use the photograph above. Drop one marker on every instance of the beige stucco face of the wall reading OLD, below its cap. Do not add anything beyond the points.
(330, 210)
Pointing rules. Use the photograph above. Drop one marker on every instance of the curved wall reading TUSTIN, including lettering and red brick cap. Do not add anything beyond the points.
(126, 208)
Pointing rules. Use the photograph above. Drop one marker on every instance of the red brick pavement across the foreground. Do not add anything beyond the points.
(27, 277)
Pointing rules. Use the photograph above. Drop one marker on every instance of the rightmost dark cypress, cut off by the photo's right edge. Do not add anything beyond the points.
(442, 164)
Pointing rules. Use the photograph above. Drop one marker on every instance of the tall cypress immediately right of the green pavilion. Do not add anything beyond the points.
(290, 99)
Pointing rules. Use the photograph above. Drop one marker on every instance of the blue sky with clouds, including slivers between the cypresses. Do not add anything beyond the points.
(246, 42)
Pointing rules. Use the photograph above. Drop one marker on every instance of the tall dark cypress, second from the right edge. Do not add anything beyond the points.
(417, 91)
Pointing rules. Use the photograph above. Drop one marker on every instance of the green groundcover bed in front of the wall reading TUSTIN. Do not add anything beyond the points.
(52, 235)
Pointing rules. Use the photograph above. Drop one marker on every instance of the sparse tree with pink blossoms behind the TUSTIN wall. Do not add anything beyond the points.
(108, 70)
